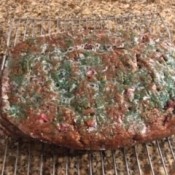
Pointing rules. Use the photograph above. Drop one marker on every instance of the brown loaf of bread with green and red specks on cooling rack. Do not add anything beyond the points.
(90, 90)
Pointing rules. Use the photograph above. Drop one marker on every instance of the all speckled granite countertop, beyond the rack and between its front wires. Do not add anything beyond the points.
(24, 157)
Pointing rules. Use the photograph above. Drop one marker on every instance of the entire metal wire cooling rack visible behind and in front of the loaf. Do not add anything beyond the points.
(23, 157)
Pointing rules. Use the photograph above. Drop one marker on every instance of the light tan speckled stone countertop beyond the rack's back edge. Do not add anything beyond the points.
(79, 8)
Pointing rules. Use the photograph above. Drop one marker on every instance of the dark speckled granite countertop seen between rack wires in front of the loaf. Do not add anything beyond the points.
(25, 157)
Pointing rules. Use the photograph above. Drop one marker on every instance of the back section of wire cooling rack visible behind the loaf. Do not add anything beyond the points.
(20, 29)
